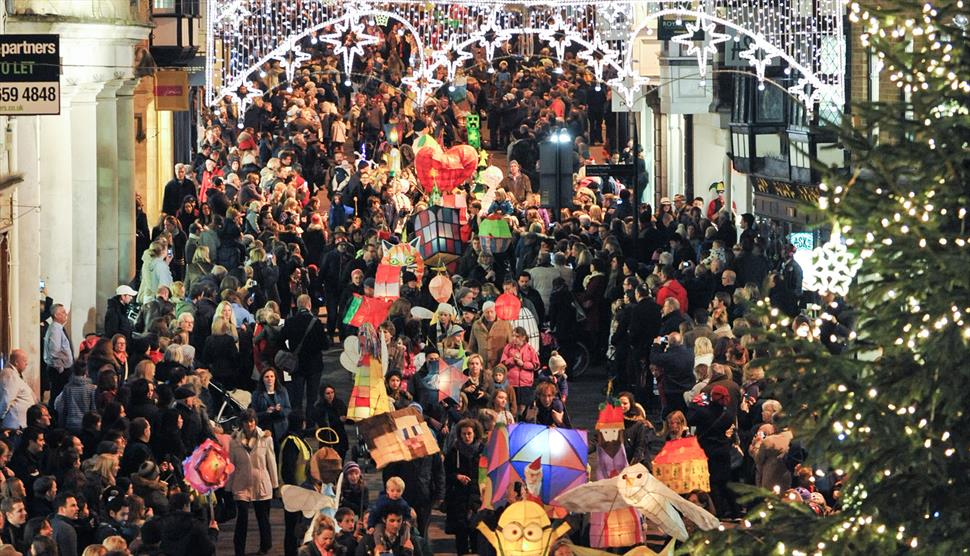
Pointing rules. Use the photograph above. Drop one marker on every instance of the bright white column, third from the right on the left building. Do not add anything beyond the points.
(84, 160)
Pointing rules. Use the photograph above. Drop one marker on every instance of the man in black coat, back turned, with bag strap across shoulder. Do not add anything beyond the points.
(306, 336)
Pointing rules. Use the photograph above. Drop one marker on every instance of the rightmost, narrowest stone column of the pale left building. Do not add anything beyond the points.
(126, 181)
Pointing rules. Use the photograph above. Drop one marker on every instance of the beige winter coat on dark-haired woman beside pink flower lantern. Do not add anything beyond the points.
(255, 477)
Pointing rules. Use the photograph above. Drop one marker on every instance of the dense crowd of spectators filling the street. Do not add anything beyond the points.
(283, 216)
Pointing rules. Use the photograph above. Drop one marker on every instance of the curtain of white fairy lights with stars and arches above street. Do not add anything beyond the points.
(246, 35)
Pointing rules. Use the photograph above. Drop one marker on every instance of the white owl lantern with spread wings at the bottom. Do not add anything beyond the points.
(635, 487)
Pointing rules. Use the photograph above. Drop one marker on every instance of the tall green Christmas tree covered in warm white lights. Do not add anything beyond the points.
(888, 414)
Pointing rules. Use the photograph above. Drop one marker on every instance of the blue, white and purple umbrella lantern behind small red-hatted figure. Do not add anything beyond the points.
(561, 454)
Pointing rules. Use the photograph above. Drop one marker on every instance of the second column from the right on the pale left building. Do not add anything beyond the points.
(107, 196)
